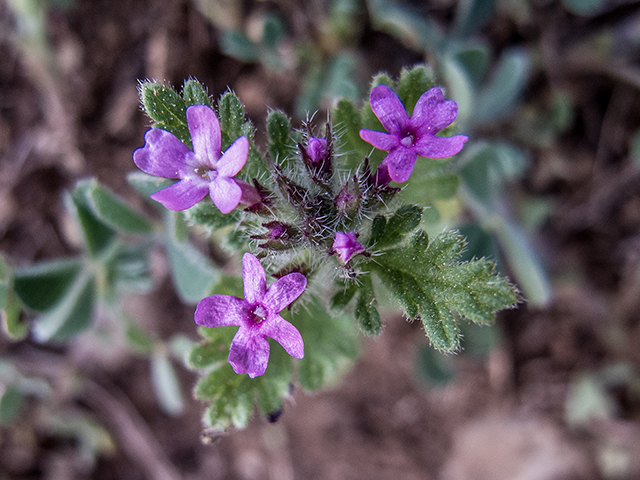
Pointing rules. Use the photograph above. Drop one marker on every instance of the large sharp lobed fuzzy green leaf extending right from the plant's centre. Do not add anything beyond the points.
(428, 283)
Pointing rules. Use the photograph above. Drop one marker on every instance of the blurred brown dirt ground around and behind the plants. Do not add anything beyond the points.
(503, 415)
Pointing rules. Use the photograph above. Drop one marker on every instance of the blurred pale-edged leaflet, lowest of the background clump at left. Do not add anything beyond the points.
(71, 315)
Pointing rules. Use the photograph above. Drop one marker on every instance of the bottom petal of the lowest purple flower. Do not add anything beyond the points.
(249, 353)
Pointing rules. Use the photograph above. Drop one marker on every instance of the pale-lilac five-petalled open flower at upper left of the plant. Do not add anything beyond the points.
(201, 170)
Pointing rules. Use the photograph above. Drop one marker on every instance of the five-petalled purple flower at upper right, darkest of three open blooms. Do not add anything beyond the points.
(410, 137)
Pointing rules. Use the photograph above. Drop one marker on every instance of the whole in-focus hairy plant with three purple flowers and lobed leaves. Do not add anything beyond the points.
(321, 213)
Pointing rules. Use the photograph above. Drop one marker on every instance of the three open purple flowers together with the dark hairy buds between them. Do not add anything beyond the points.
(206, 169)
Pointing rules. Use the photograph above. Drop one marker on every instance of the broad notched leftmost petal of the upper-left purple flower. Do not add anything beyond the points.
(163, 155)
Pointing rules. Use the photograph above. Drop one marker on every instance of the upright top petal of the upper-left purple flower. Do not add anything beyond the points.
(205, 133)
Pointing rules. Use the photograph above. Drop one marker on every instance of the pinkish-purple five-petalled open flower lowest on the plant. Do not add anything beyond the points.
(257, 316)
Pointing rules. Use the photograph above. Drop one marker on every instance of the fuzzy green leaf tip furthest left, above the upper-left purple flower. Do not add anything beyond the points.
(166, 108)
